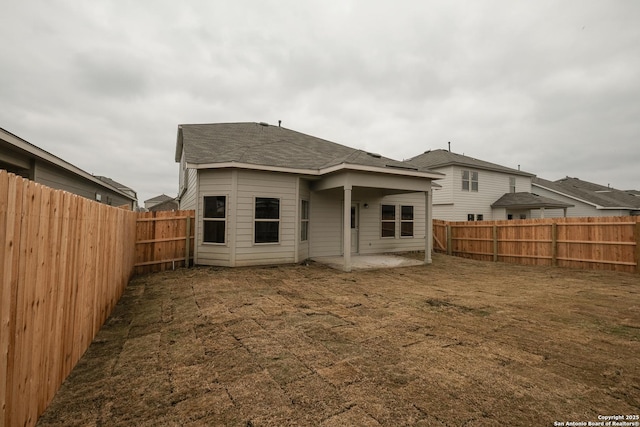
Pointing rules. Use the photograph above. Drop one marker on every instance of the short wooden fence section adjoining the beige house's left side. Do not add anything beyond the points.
(164, 240)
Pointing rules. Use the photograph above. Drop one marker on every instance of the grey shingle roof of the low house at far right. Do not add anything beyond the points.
(595, 194)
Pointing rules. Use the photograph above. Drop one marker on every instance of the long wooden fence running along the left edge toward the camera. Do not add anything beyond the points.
(64, 263)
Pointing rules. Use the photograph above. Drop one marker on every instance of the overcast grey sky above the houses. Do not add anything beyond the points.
(553, 86)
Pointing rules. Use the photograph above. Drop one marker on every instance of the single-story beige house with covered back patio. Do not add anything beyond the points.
(268, 195)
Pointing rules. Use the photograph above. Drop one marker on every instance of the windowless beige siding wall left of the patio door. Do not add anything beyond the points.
(325, 223)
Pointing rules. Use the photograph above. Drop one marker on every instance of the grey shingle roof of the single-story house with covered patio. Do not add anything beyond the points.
(274, 146)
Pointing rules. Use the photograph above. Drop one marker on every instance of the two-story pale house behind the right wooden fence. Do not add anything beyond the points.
(475, 190)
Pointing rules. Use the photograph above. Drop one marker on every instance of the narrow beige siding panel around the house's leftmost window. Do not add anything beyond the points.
(213, 183)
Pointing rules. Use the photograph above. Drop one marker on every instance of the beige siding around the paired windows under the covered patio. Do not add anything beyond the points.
(370, 240)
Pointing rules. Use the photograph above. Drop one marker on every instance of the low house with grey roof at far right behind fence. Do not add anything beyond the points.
(589, 199)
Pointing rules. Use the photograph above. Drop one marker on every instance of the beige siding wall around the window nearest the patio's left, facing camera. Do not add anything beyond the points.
(252, 184)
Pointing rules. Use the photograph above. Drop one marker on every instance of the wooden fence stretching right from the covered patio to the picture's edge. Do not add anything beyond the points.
(602, 243)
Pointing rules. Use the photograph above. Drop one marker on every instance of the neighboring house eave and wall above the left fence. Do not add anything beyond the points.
(25, 159)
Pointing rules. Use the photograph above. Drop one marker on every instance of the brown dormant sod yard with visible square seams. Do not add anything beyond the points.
(459, 342)
